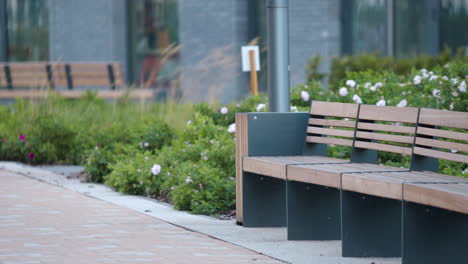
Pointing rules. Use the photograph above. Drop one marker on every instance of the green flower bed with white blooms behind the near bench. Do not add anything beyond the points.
(184, 154)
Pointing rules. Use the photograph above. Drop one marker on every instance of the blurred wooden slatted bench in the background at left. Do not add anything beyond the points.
(19, 77)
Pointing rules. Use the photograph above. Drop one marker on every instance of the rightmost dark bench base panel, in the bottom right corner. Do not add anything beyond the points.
(432, 235)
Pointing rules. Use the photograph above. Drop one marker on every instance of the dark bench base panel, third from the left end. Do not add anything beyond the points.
(371, 226)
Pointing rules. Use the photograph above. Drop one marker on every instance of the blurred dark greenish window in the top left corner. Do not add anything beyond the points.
(27, 30)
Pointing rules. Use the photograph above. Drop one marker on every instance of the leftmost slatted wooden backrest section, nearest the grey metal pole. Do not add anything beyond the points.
(332, 123)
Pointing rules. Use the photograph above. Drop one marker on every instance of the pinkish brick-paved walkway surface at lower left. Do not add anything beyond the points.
(42, 223)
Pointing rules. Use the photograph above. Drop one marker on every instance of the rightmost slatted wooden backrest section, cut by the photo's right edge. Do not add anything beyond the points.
(433, 139)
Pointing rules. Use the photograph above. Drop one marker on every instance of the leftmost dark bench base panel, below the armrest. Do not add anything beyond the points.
(264, 201)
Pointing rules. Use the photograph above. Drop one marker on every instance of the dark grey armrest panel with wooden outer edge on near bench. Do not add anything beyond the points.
(271, 134)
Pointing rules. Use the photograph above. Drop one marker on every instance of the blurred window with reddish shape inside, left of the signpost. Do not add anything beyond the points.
(154, 43)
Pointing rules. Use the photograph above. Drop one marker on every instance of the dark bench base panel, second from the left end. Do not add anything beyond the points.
(313, 212)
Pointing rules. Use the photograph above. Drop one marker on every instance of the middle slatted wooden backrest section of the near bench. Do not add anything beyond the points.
(388, 128)
